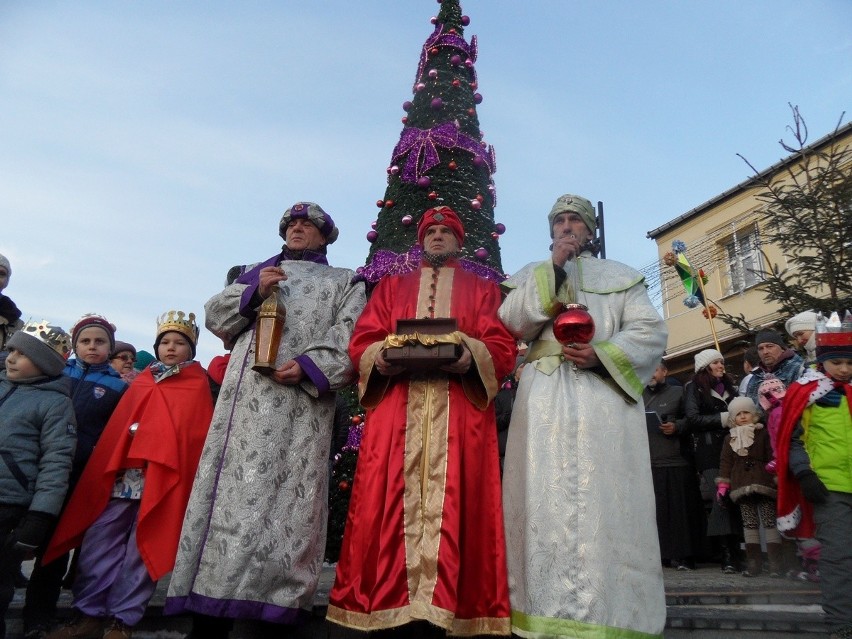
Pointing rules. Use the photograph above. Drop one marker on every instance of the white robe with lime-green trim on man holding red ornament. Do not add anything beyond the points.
(578, 498)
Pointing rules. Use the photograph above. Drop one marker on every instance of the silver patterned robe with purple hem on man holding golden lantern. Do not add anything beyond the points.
(254, 533)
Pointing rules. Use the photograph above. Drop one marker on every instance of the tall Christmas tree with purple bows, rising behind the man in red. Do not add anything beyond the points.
(440, 159)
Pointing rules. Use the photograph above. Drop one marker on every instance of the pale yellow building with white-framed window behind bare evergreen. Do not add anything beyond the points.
(723, 238)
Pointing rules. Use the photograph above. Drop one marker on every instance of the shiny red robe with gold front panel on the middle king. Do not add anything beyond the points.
(424, 536)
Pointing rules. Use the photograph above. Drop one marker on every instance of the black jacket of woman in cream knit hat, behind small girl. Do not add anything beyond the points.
(706, 421)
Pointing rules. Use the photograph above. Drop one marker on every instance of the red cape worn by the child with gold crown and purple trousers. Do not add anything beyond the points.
(173, 418)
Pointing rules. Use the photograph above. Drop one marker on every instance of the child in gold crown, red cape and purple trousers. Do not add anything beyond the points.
(128, 507)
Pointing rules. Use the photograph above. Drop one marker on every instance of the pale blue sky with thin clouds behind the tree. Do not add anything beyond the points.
(145, 147)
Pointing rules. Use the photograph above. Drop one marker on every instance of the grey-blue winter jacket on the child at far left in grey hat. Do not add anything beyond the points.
(37, 441)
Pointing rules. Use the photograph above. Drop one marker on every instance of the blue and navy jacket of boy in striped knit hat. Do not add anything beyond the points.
(95, 391)
